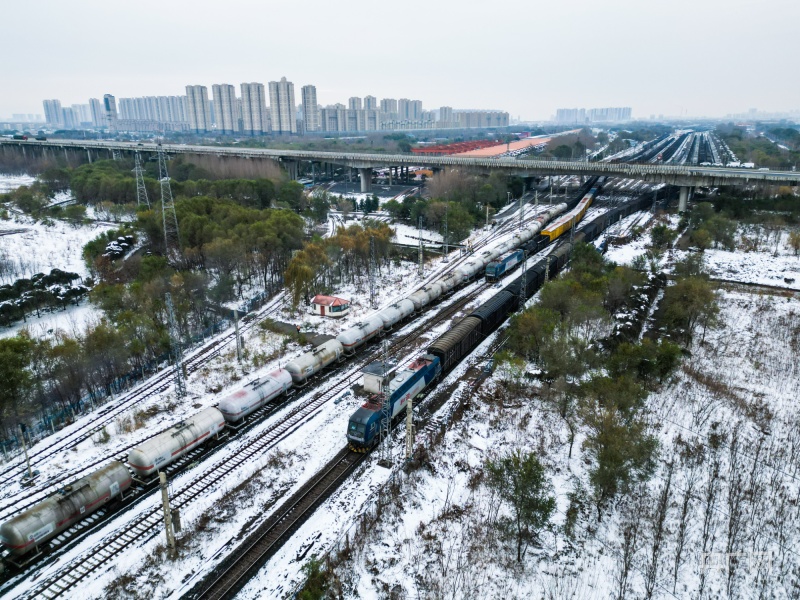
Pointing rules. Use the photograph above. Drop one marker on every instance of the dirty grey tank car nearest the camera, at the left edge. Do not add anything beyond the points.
(70, 504)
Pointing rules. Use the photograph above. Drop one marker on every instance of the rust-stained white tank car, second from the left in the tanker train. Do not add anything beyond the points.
(158, 452)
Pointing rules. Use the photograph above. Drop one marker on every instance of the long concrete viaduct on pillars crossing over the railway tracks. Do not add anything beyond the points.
(683, 176)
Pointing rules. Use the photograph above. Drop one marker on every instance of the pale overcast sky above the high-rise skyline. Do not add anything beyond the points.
(529, 57)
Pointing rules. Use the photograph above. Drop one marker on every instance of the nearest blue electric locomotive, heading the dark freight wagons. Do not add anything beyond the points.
(364, 425)
